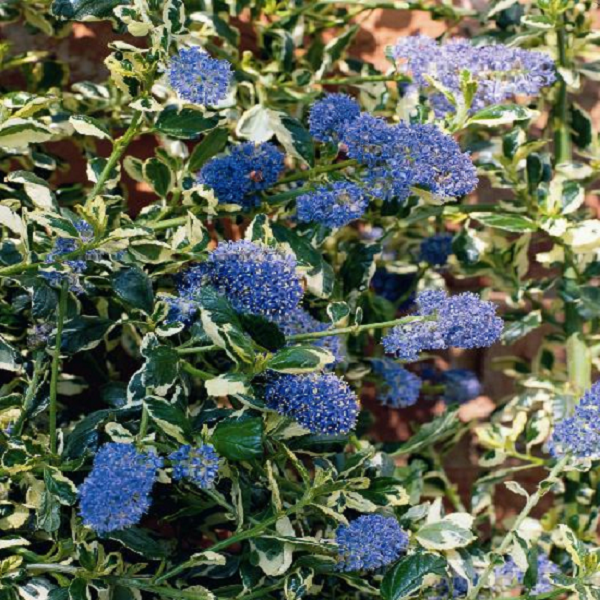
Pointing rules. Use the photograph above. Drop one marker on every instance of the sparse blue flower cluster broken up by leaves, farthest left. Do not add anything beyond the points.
(76, 266)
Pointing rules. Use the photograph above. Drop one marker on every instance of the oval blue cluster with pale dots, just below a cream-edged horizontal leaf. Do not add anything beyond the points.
(320, 402)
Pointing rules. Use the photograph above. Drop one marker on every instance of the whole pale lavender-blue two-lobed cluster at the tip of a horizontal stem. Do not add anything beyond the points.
(461, 321)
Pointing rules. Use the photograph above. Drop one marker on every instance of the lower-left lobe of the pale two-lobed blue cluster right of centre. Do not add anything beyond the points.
(406, 342)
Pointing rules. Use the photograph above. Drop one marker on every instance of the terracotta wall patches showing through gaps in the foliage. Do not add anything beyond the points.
(85, 51)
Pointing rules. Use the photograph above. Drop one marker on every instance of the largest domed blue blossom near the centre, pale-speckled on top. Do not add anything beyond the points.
(256, 279)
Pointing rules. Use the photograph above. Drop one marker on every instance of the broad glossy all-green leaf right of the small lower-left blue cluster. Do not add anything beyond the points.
(239, 440)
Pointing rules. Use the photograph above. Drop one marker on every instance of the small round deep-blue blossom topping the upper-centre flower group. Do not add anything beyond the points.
(328, 117)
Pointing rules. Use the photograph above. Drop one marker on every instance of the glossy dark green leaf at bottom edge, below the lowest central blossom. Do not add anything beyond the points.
(406, 577)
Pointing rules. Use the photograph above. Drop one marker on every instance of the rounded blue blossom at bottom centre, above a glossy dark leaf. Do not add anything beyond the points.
(369, 543)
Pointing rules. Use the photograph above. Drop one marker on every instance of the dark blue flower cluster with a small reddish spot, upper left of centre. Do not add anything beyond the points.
(237, 177)
